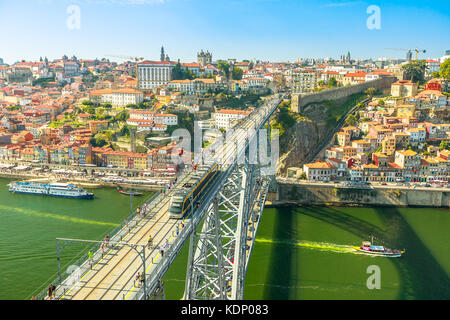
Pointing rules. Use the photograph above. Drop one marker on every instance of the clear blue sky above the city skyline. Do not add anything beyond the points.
(275, 30)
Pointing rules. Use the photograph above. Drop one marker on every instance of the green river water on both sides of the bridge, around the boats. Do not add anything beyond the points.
(300, 253)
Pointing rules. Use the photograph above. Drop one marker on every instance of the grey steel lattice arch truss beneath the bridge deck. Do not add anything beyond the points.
(219, 253)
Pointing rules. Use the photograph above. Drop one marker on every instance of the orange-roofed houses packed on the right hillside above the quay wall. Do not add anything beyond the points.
(389, 143)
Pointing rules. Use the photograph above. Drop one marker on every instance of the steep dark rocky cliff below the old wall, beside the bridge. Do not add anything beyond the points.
(303, 138)
